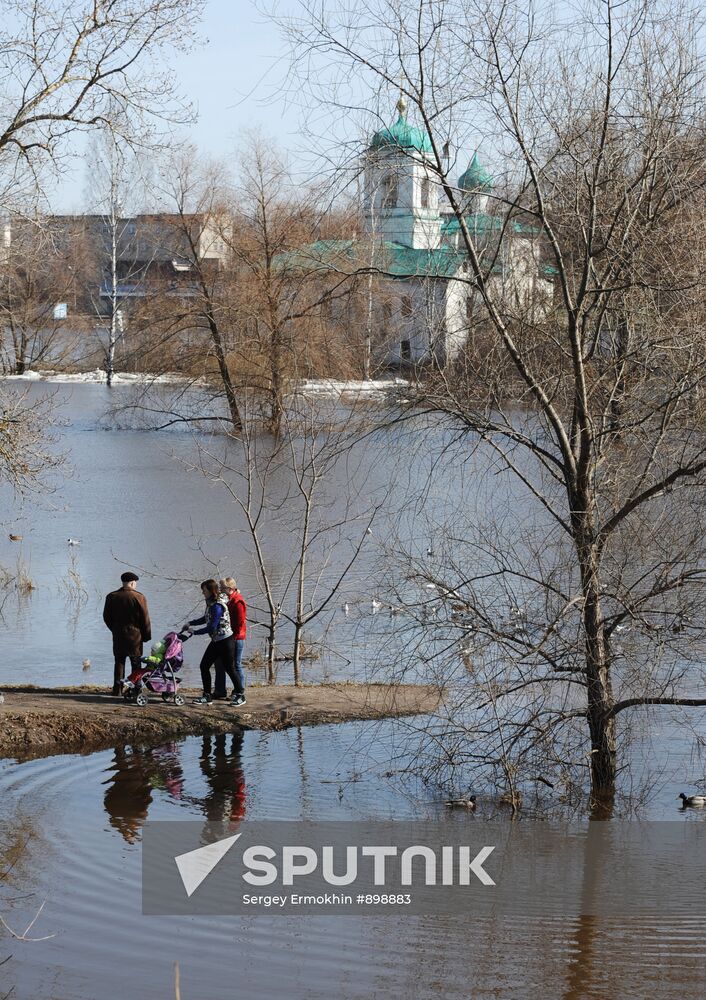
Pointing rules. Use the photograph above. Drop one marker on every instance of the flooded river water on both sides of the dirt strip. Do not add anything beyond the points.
(70, 826)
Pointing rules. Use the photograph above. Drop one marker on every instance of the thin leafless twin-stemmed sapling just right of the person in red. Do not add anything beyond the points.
(302, 532)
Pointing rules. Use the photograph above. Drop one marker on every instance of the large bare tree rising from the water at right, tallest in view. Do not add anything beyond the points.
(579, 600)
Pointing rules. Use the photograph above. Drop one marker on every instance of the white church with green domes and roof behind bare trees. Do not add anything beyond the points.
(414, 241)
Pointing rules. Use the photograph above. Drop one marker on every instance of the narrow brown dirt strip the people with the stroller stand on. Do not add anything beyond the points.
(38, 722)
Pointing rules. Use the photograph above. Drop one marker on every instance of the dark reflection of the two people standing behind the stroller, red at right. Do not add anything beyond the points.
(221, 765)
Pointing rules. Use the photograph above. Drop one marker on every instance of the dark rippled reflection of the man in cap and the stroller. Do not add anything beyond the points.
(136, 772)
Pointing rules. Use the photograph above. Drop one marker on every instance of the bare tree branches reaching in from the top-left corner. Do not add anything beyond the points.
(66, 67)
